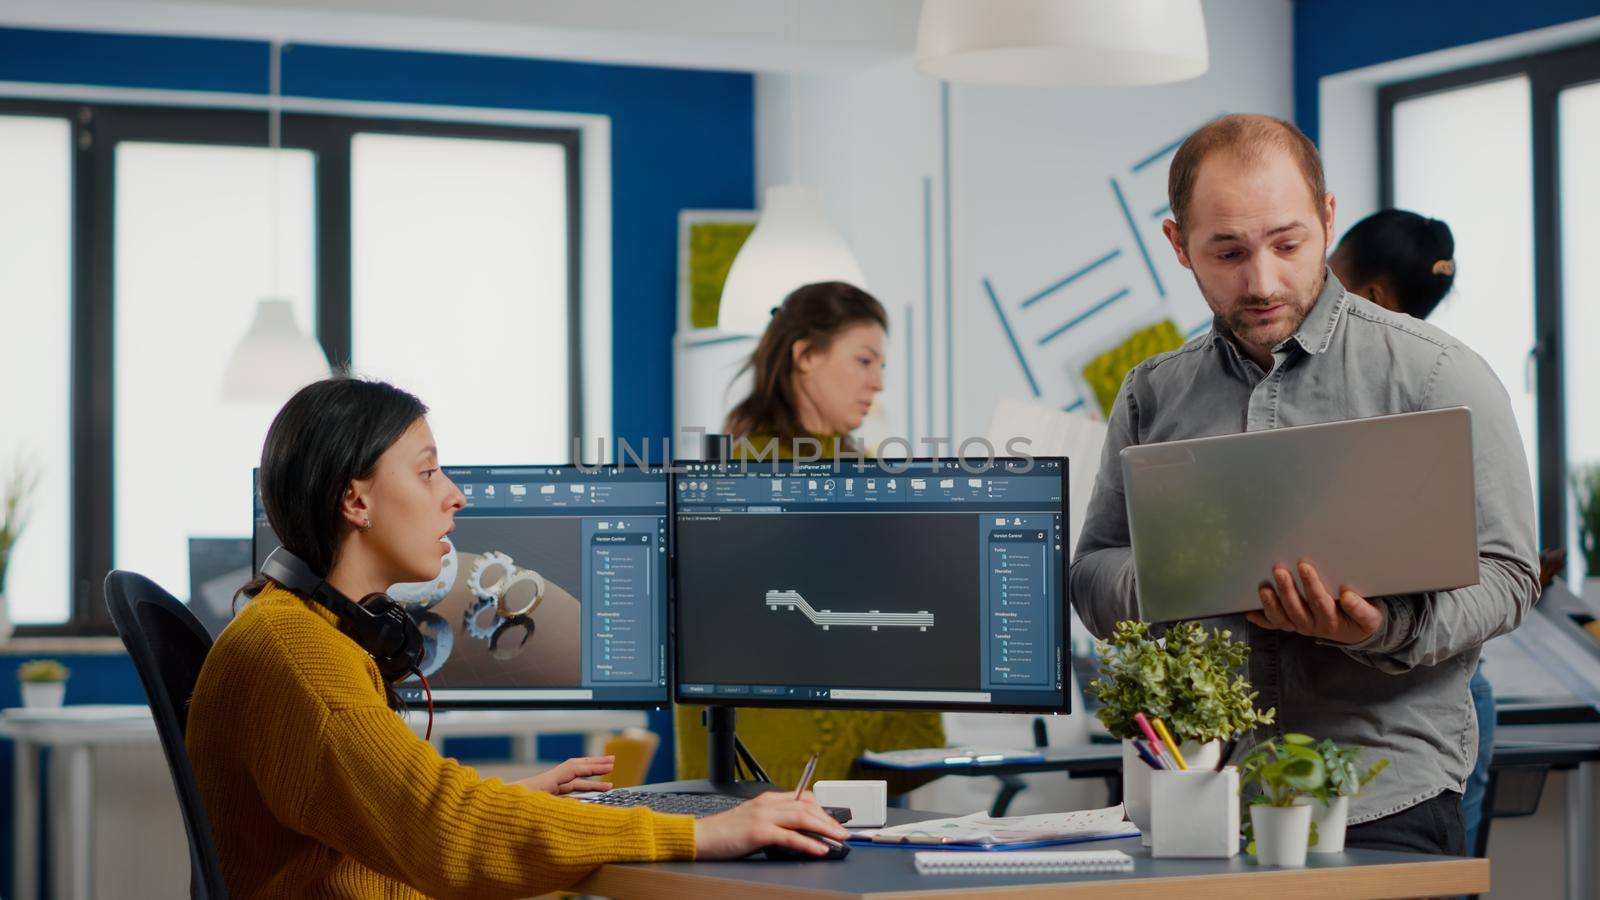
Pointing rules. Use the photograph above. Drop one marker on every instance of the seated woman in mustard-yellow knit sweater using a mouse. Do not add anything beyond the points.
(313, 784)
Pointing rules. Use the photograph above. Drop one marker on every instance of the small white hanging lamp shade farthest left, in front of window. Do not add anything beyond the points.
(273, 360)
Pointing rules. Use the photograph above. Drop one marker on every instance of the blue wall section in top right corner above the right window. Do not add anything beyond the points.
(1337, 36)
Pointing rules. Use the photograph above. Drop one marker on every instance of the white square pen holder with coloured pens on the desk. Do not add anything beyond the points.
(1194, 814)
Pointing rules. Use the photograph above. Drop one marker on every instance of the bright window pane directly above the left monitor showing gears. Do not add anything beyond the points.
(460, 289)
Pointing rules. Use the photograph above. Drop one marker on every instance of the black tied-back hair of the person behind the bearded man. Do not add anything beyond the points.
(1414, 255)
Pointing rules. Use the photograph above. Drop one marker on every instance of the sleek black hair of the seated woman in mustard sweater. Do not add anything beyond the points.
(329, 435)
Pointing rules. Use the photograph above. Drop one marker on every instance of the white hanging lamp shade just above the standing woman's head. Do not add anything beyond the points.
(793, 246)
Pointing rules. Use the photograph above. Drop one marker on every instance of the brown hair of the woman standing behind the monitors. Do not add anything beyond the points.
(815, 315)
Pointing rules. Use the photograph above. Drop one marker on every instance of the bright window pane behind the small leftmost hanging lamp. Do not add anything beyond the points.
(201, 241)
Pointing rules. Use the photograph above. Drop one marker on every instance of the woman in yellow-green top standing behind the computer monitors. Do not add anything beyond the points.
(815, 374)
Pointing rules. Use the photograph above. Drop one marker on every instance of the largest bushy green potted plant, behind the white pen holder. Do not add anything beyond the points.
(1191, 680)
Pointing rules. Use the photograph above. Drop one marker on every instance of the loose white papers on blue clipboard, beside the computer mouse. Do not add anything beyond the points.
(978, 832)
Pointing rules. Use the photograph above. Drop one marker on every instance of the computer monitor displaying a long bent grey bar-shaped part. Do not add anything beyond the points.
(918, 584)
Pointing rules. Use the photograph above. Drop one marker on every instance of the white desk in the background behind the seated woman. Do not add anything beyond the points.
(76, 733)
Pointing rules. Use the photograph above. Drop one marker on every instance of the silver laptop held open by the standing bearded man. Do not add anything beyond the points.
(1382, 505)
